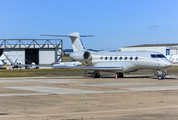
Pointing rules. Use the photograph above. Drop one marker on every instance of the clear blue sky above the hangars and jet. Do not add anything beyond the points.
(114, 23)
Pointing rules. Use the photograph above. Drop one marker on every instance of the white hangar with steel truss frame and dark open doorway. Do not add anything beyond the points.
(40, 51)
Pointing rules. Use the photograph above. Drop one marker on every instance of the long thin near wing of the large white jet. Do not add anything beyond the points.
(79, 67)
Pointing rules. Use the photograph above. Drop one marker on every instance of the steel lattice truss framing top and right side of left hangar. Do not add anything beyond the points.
(55, 44)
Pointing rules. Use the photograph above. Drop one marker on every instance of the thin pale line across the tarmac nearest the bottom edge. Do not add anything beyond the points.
(92, 112)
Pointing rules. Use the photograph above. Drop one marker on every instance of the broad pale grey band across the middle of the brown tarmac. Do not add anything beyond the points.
(53, 90)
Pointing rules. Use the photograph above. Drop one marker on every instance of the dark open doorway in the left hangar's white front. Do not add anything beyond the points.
(31, 55)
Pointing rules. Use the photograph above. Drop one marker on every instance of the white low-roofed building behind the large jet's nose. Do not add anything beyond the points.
(166, 49)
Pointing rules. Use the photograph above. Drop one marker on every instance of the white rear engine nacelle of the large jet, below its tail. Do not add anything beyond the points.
(81, 55)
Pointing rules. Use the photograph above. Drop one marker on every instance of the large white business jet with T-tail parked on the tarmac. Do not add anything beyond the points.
(118, 62)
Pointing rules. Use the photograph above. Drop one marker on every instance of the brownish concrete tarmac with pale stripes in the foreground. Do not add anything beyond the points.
(70, 96)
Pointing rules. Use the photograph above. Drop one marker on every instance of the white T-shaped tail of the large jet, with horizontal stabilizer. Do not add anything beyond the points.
(75, 38)
